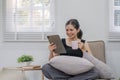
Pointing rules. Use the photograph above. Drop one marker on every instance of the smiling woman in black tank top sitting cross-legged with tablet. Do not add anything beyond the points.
(74, 33)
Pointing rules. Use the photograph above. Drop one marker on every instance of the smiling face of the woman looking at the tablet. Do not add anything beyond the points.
(71, 31)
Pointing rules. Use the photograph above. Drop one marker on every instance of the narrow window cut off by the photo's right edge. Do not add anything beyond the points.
(114, 32)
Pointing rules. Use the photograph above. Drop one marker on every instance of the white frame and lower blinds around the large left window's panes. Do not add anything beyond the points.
(26, 36)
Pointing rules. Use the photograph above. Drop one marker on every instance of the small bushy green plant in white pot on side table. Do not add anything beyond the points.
(25, 58)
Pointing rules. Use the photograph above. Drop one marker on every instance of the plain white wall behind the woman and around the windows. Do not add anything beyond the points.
(93, 17)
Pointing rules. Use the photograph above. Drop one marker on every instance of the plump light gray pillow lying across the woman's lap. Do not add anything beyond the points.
(71, 65)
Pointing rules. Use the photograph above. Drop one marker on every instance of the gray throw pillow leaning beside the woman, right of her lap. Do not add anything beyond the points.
(104, 70)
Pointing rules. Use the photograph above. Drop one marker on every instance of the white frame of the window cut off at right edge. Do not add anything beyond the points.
(114, 31)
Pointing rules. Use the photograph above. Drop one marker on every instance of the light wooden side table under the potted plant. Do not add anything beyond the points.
(26, 68)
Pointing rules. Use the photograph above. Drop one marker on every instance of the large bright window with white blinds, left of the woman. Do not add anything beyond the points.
(28, 20)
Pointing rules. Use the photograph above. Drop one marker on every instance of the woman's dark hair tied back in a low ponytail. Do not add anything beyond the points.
(76, 25)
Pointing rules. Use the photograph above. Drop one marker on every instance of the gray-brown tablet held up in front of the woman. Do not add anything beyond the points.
(56, 40)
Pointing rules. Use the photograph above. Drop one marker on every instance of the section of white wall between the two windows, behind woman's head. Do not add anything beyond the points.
(91, 14)
